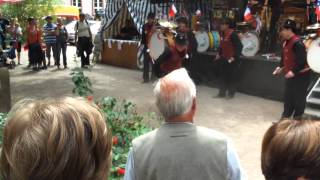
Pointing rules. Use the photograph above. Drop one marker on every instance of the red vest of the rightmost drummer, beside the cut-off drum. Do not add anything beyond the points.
(288, 56)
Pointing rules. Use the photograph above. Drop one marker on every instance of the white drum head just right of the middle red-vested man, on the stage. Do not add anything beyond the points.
(250, 44)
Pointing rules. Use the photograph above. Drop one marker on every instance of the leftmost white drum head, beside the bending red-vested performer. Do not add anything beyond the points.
(156, 45)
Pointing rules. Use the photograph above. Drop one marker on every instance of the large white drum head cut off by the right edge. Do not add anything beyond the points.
(313, 56)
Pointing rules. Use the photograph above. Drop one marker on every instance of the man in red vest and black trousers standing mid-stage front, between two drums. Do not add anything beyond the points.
(229, 57)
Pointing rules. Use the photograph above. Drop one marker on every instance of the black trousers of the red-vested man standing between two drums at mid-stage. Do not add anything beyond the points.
(229, 73)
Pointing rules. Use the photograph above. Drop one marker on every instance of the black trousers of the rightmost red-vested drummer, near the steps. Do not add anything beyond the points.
(295, 94)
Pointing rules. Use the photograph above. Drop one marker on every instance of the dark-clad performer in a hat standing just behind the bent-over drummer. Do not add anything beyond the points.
(191, 63)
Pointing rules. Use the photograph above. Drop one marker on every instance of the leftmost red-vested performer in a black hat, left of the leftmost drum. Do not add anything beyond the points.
(147, 30)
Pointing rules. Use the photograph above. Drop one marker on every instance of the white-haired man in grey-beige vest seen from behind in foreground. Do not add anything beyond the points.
(179, 149)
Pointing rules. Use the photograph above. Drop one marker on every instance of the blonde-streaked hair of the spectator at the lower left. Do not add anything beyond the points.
(51, 139)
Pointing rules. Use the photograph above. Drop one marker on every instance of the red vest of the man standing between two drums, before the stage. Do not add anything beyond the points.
(227, 48)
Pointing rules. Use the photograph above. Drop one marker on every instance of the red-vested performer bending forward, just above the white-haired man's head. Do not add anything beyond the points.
(172, 57)
